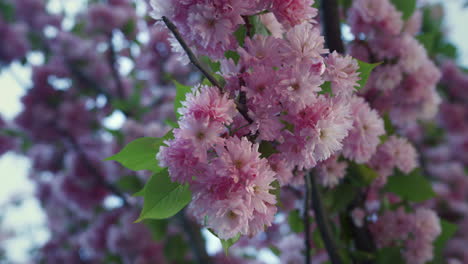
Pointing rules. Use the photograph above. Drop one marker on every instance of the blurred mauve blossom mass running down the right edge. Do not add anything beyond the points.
(446, 159)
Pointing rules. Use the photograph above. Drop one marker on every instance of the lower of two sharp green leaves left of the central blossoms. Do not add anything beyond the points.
(163, 198)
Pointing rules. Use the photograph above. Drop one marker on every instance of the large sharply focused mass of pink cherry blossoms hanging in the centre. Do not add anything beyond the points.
(215, 148)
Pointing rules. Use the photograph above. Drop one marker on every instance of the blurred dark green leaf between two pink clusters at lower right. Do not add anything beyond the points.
(412, 187)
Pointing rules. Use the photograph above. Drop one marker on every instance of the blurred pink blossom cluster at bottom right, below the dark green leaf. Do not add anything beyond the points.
(414, 232)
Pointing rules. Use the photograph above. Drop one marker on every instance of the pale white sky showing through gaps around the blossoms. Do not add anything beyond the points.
(27, 219)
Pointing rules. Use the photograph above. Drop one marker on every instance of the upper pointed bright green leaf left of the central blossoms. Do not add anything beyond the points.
(140, 154)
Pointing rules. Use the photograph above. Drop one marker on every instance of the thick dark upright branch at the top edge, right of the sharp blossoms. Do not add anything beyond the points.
(331, 25)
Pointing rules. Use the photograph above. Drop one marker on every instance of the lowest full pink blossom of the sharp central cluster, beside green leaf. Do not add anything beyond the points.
(235, 193)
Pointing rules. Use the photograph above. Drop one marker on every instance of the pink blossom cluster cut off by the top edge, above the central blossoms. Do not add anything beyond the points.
(210, 25)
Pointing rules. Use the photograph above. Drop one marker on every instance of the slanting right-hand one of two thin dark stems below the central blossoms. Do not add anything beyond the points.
(320, 217)
